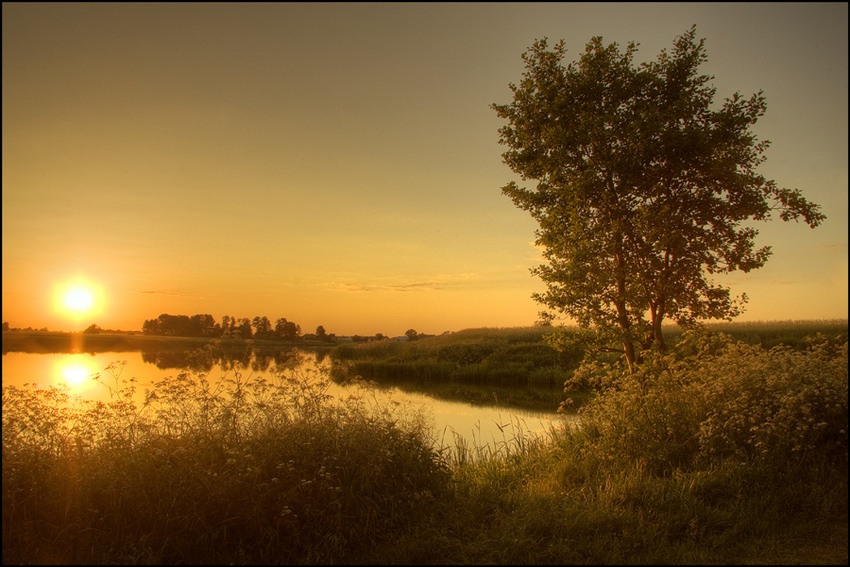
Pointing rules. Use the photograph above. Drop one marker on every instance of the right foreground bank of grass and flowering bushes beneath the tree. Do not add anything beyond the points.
(737, 454)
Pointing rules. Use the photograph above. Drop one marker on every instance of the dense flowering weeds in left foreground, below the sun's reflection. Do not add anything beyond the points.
(242, 469)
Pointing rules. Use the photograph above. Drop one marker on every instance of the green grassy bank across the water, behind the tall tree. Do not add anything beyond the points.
(522, 356)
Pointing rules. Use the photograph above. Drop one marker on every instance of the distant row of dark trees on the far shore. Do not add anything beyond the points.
(206, 326)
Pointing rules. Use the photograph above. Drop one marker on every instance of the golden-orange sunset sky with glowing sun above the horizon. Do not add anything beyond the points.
(339, 164)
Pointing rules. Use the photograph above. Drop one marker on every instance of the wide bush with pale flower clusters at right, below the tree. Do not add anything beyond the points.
(713, 401)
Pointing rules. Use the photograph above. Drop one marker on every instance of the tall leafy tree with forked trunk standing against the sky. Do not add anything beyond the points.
(643, 187)
